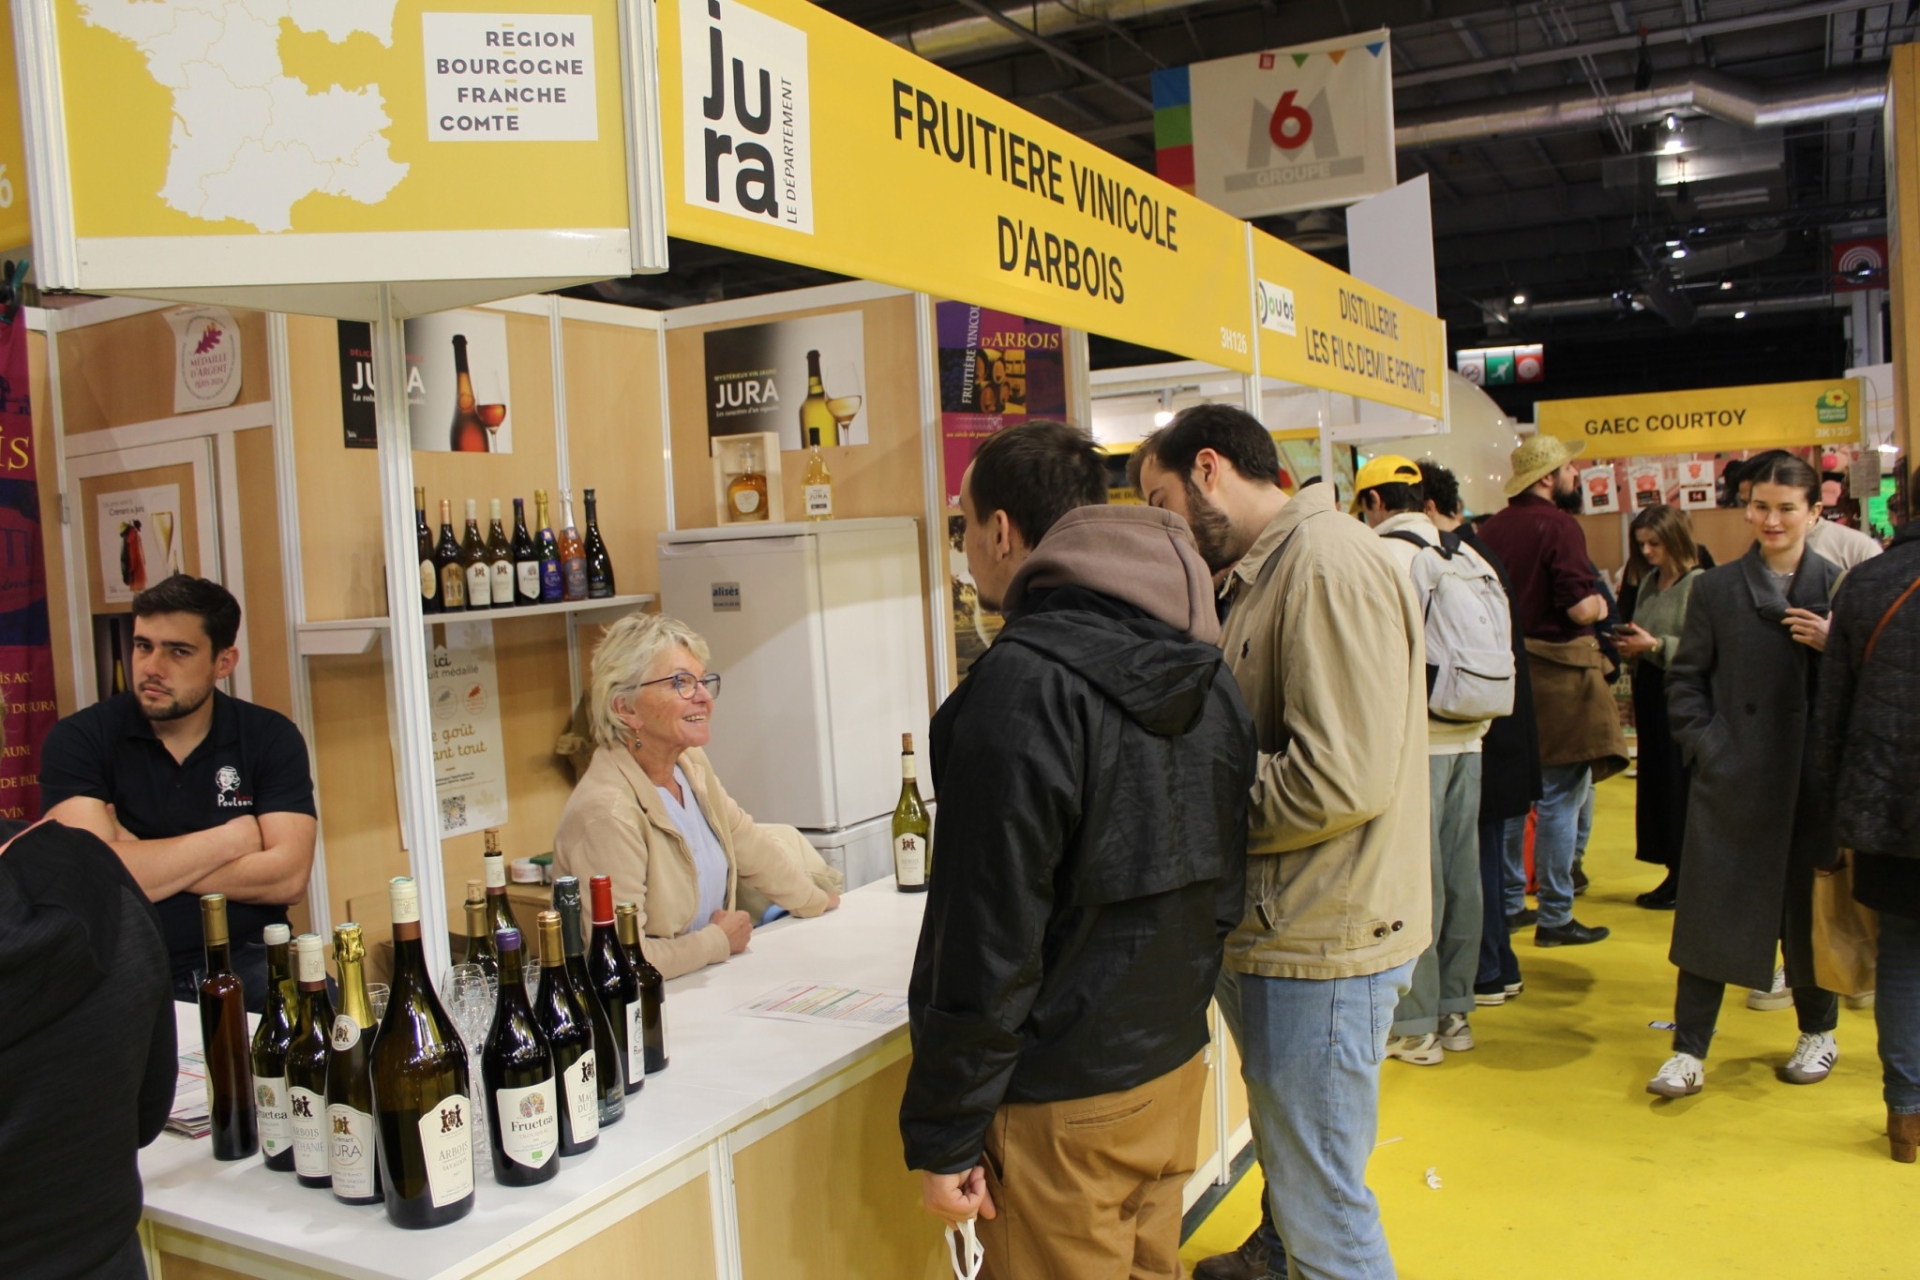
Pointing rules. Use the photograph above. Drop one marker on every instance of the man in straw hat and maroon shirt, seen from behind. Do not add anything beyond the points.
(1556, 592)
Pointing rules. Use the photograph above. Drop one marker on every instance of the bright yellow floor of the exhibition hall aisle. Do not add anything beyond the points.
(1554, 1162)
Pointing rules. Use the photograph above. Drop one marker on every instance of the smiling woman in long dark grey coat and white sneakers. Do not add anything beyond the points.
(1739, 696)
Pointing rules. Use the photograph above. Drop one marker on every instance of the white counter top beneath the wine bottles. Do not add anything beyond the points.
(725, 1072)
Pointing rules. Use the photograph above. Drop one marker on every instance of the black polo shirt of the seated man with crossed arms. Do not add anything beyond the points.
(252, 763)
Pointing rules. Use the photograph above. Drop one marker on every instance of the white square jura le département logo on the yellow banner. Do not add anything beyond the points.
(748, 114)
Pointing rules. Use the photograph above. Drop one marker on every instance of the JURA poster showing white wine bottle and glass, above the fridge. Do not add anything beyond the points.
(790, 377)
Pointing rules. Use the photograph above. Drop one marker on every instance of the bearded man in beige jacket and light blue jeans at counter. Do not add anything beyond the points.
(1324, 636)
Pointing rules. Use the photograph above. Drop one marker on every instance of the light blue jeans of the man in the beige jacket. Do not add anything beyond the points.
(1310, 1055)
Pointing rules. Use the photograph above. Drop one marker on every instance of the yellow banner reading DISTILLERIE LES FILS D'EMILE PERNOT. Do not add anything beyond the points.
(1322, 327)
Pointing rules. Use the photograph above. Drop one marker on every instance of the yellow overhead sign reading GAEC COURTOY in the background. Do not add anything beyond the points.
(1779, 415)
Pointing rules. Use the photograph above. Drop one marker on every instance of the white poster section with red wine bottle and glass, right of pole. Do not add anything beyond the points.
(460, 398)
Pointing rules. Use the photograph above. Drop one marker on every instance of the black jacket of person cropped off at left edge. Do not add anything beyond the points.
(87, 1055)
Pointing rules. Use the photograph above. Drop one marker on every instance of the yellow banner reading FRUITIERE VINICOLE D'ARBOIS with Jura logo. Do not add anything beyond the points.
(796, 135)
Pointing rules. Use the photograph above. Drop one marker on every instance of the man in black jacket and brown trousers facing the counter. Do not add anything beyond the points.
(1093, 778)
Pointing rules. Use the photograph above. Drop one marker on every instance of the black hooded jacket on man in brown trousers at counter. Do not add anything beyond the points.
(1090, 861)
